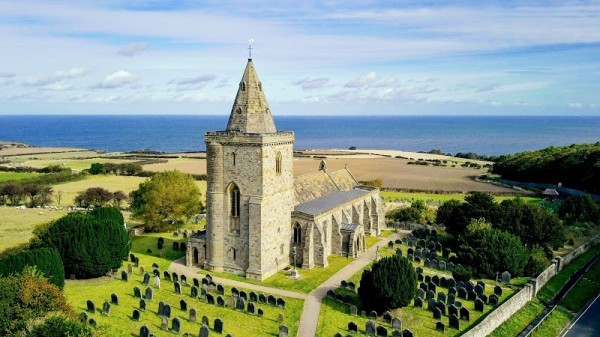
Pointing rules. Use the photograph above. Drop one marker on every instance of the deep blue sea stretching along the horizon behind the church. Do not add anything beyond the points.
(490, 135)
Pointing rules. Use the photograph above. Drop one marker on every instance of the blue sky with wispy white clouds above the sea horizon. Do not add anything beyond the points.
(314, 58)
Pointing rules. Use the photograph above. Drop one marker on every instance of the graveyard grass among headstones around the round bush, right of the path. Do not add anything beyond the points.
(335, 316)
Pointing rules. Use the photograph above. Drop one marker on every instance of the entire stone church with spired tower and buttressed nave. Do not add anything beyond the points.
(258, 214)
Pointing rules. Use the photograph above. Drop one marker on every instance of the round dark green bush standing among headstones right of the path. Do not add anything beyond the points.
(390, 283)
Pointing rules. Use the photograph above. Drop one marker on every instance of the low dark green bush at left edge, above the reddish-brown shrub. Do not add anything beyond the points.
(46, 260)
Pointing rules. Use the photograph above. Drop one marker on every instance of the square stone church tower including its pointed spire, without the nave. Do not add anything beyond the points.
(250, 194)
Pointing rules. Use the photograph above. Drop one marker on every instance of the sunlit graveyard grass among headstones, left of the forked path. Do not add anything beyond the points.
(120, 321)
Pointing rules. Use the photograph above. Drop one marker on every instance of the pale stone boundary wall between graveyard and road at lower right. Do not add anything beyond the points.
(522, 297)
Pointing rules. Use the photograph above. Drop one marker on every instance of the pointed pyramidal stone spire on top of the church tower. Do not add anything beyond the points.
(250, 112)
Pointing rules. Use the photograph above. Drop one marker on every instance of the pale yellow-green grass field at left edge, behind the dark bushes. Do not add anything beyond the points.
(16, 225)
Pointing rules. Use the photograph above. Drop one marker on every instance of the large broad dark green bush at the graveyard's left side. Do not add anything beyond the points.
(90, 244)
